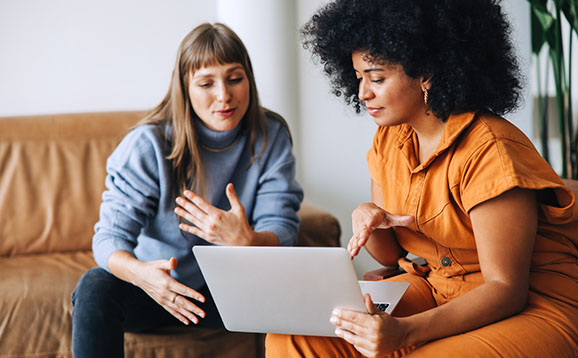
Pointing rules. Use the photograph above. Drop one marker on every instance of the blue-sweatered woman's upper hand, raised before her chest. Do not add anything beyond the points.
(215, 225)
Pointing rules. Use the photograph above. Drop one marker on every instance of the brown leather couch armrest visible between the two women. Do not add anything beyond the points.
(318, 227)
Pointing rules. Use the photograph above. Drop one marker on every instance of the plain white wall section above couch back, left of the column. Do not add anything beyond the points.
(80, 55)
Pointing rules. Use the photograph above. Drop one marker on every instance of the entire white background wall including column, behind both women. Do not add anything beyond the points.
(77, 55)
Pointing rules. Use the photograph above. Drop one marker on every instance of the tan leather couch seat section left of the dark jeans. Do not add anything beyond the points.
(35, 313)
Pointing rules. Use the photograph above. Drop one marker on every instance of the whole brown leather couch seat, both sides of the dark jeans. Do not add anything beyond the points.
(36, 316)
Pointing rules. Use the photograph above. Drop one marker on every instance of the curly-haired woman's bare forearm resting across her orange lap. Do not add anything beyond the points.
(483, 305)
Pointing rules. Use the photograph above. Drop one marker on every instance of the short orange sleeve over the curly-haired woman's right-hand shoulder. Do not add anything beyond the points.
(494, 156)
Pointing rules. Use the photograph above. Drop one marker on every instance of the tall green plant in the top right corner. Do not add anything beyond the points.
(553, 23)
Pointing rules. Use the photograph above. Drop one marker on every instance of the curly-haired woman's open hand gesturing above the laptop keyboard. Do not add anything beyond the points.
(366, 218)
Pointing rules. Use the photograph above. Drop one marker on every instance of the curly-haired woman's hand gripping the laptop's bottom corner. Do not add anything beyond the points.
(373, 334)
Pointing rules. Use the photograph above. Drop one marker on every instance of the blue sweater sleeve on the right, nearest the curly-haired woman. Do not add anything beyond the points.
(279, 195)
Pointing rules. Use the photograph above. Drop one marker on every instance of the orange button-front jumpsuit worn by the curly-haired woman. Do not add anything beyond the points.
(479, 157)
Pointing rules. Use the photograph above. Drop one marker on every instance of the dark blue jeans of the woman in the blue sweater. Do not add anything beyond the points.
(105, 307)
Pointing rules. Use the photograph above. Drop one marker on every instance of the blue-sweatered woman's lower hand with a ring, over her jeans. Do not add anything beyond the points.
(154, 278)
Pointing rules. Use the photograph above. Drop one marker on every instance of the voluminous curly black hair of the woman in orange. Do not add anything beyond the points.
(464, 46)
